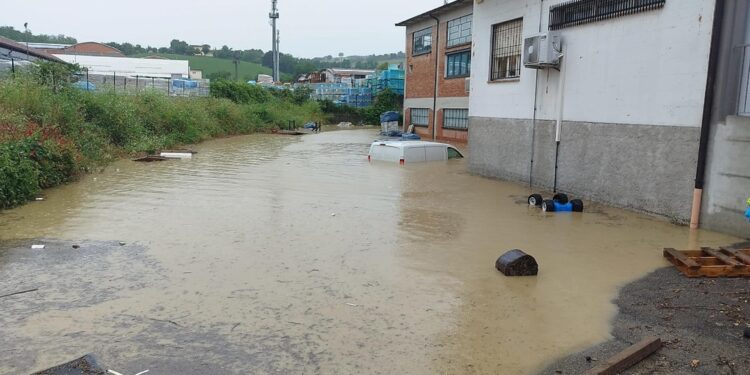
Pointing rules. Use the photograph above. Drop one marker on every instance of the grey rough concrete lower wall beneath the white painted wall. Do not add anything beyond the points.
(641, 167)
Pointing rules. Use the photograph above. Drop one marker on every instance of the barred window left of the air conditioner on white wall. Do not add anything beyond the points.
(506, 50)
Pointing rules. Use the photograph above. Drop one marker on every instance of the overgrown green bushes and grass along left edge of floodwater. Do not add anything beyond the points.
(51, 133)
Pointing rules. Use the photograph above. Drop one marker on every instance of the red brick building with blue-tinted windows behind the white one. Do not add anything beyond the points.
(438, 65)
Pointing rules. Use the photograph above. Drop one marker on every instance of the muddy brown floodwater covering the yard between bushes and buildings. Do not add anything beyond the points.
(272, 254)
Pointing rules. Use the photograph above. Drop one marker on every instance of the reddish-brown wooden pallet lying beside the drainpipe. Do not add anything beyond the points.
(709, 262)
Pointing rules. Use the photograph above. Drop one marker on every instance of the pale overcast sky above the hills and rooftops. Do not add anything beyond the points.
(309, 28)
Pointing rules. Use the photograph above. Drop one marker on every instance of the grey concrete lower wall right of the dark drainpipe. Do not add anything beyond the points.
(728, 178)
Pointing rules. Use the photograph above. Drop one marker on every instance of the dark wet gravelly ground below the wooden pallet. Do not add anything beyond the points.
(697, 319)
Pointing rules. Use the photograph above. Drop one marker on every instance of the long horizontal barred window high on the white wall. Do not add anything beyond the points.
(579, 12)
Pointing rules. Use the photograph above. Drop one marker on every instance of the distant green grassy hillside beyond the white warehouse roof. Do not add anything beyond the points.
(214, 67)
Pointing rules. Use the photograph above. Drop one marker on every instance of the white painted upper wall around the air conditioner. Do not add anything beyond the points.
(643, 68)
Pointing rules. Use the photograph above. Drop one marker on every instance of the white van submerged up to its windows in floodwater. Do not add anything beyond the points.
(412, 151)
